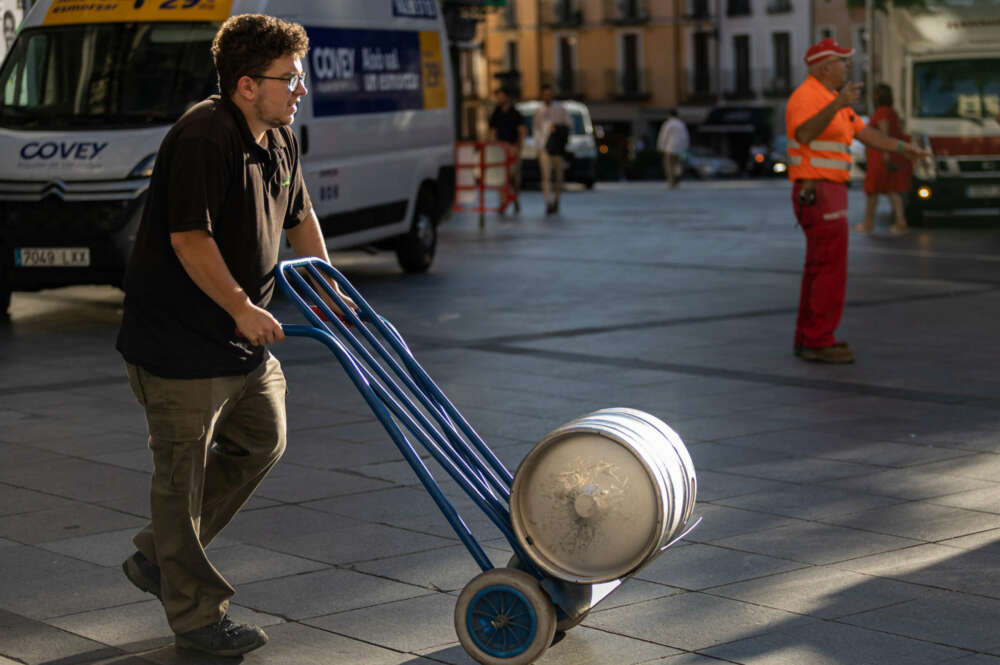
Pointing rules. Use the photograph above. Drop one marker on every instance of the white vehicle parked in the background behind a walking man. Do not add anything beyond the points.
(582, 164)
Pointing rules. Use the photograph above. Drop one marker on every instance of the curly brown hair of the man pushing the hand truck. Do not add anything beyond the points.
(247, 44)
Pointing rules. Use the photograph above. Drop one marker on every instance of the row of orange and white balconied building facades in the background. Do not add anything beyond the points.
(631, 61)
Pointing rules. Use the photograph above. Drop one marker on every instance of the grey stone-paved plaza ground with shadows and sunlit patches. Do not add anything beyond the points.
(851, 513)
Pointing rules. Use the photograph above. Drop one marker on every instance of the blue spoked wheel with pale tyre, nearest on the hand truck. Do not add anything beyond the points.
(504, 618)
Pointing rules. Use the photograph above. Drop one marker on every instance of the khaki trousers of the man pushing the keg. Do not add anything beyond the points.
(198, 486)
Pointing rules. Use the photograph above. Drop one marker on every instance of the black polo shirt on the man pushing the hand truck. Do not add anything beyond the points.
(210, 174)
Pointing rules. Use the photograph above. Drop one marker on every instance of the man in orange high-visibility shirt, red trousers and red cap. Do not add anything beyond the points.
(820, 126)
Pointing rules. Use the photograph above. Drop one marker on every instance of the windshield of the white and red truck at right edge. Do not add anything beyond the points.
(957, 88)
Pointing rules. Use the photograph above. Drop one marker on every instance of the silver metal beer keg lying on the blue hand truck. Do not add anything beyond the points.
(601, 496)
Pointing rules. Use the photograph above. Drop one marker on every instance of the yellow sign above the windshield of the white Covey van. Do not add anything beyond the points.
(64, 12)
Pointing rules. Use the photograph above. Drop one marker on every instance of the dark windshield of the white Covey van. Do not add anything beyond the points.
(106, 75)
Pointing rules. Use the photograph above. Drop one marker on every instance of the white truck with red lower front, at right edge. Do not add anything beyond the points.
(943, 63)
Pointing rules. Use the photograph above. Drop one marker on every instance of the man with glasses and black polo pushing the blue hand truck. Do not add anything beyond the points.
(194, 331)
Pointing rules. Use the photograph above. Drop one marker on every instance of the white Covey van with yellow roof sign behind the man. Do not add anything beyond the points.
(90, 89)
